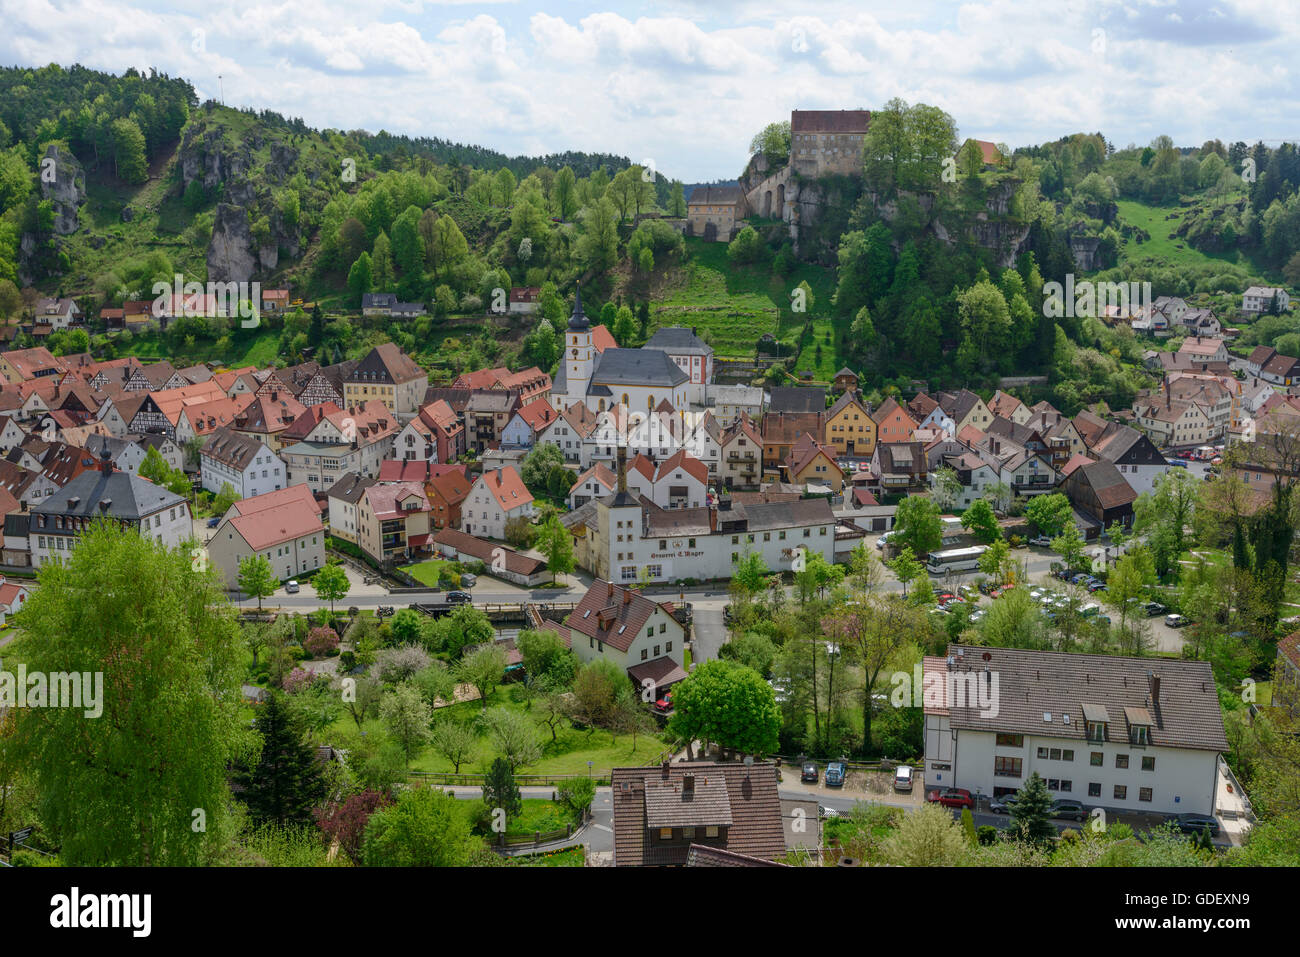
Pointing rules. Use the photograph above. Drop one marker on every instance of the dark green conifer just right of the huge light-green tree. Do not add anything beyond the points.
(287, 783)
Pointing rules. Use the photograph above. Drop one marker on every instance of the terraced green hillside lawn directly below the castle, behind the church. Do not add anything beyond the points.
(738, 305)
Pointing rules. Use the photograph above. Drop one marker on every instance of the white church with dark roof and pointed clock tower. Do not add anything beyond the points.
(640, 379)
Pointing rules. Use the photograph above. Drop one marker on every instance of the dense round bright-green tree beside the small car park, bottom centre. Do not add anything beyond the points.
(730, 704)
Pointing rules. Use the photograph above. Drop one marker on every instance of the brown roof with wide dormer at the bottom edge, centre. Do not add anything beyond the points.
(742, 802)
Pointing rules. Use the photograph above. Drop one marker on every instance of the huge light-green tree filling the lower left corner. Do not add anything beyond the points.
(123, 790)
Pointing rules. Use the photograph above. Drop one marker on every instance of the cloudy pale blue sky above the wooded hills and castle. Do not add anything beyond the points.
(683, 85)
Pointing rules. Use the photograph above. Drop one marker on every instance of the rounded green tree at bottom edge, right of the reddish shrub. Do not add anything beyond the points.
(424, 829)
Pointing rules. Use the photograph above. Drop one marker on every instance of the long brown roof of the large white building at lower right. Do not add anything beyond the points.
(1037, 691)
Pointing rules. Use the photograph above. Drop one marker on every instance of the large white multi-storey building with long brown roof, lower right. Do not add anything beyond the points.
(1120, 734)
